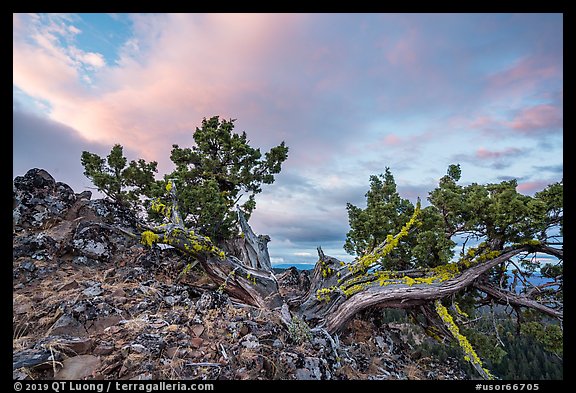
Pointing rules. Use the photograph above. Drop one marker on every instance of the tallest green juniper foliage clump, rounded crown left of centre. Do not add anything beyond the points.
(220, 171)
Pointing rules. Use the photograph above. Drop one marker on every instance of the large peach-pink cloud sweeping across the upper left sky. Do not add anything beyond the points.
(177, 69)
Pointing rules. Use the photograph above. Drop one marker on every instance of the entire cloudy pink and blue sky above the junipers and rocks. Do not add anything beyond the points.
(350, 94)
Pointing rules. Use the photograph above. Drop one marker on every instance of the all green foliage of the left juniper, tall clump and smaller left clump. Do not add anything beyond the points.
(221, 170)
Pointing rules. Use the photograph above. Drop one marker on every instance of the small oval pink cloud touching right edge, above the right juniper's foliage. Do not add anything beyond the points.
(538, 118)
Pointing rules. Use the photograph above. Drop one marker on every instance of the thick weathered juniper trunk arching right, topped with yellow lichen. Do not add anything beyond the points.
(332, 301)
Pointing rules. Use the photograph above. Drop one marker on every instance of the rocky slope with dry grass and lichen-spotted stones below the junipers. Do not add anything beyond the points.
(90, 302)
